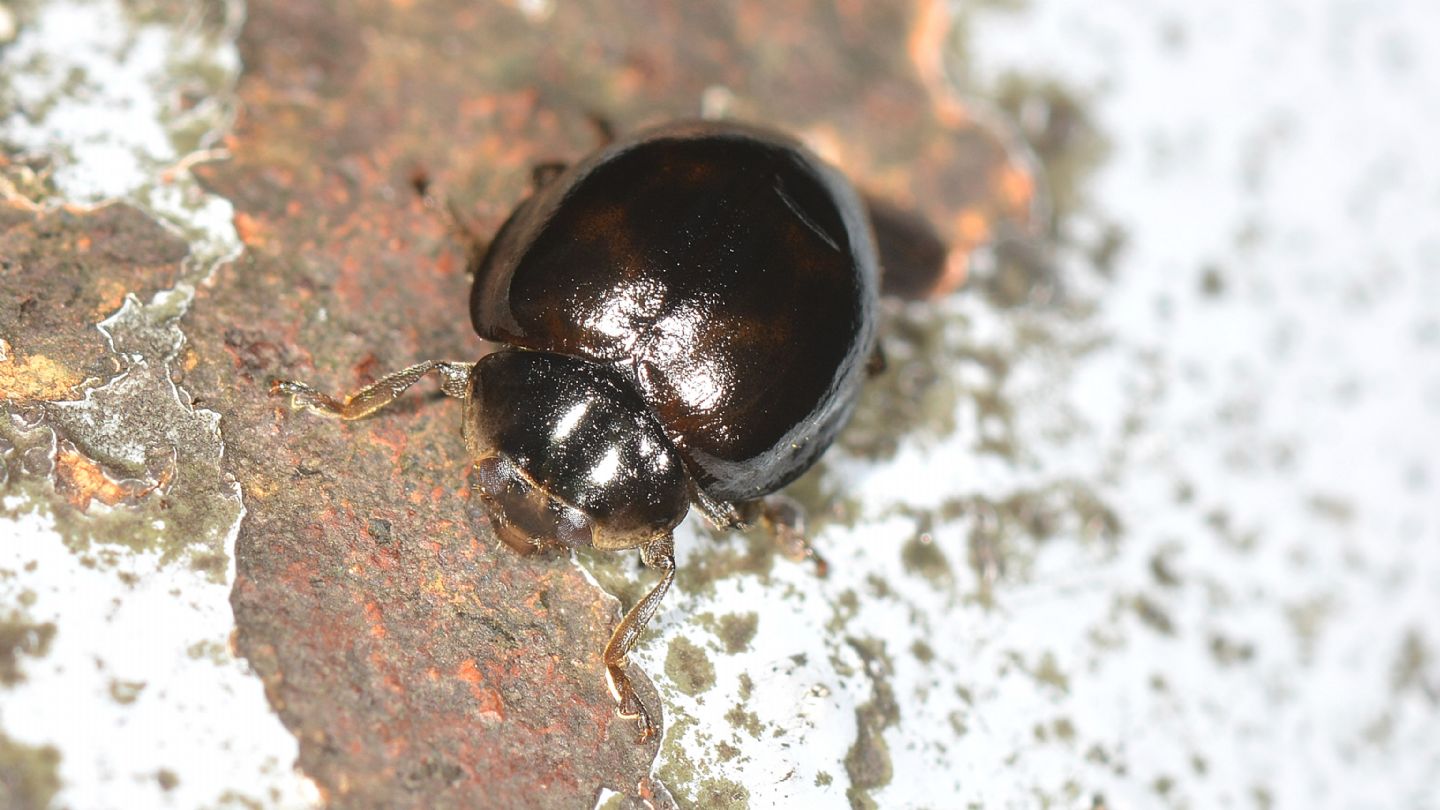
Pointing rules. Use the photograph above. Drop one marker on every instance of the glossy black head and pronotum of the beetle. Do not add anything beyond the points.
(567, 453)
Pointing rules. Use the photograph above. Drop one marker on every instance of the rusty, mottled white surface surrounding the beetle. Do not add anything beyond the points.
(1143, 515)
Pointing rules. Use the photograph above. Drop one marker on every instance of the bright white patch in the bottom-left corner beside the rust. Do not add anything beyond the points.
(139, 691)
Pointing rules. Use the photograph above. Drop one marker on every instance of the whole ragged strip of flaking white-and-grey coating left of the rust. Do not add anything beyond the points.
(138, 691)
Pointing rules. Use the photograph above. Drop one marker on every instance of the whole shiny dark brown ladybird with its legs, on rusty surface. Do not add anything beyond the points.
(689, 315)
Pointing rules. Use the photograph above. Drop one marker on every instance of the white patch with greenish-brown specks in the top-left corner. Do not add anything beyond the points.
(109, 100)
